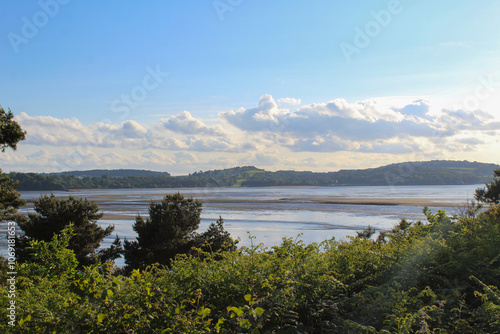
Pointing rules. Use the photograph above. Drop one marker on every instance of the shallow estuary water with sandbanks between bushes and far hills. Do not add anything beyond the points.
(269, 214)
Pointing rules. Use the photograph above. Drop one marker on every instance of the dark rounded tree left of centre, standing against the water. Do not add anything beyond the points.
(171, 230)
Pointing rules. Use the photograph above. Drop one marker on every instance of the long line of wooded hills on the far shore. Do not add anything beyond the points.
(436, 172)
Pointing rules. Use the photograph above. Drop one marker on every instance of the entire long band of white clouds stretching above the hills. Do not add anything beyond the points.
(273, 133)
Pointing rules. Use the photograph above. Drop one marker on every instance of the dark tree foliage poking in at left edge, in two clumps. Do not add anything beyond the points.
(10, 134)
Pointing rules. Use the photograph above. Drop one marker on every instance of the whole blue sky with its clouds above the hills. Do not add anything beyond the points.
(183, 86)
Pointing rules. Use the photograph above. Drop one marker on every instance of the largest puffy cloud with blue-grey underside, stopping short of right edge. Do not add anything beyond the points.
(349, 121)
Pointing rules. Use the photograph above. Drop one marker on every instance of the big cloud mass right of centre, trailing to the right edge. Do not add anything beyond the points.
(364, 126)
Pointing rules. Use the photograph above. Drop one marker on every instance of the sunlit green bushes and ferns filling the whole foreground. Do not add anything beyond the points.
(437, 276)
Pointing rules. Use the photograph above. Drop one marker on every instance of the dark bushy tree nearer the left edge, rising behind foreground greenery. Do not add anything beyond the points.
(53, 215)
